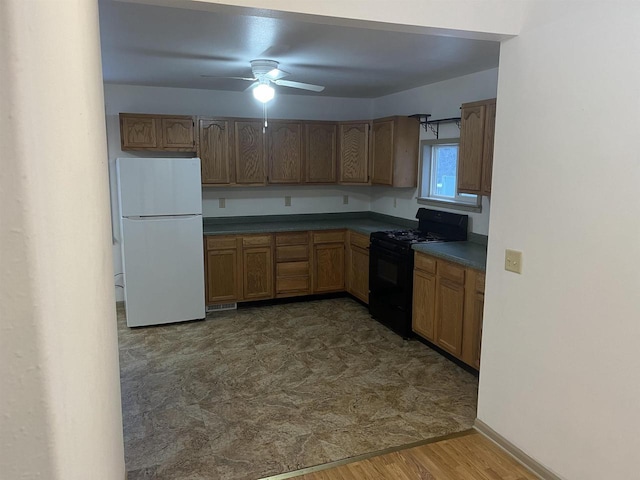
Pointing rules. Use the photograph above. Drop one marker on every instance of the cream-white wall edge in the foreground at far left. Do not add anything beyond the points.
(59, 376)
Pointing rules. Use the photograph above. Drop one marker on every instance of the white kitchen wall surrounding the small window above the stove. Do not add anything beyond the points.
(441, 100)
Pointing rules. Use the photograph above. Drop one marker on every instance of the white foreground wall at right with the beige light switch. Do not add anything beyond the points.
(560, 371)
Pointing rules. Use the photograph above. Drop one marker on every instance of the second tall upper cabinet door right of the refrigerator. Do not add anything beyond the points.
(249, 152)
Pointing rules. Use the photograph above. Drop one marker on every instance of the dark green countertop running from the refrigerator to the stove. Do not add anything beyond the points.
(364, 223)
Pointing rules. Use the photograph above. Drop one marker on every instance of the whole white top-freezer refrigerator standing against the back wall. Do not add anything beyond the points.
(161, 234)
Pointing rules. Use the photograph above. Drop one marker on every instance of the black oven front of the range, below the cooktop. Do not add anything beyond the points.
(390, 287)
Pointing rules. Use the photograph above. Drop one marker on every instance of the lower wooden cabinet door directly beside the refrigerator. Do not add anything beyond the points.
(222, 276)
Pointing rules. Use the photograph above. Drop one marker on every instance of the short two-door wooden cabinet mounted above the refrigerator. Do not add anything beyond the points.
(170, 133)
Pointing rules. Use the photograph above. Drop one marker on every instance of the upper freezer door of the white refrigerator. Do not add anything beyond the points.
(159, 186)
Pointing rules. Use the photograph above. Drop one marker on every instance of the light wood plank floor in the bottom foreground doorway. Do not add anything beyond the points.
(468, 457)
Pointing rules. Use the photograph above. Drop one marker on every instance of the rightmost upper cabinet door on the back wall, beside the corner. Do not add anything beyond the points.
(354, 153)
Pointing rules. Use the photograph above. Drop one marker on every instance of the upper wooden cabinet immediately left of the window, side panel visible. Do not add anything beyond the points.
(394, 152)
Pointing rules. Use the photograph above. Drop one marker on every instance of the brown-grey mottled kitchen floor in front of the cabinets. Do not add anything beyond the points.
(271, 389)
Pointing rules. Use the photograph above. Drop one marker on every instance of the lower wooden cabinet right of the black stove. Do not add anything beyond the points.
(447, 306)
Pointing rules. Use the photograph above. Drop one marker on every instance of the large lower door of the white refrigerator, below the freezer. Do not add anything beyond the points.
(163, 270)
